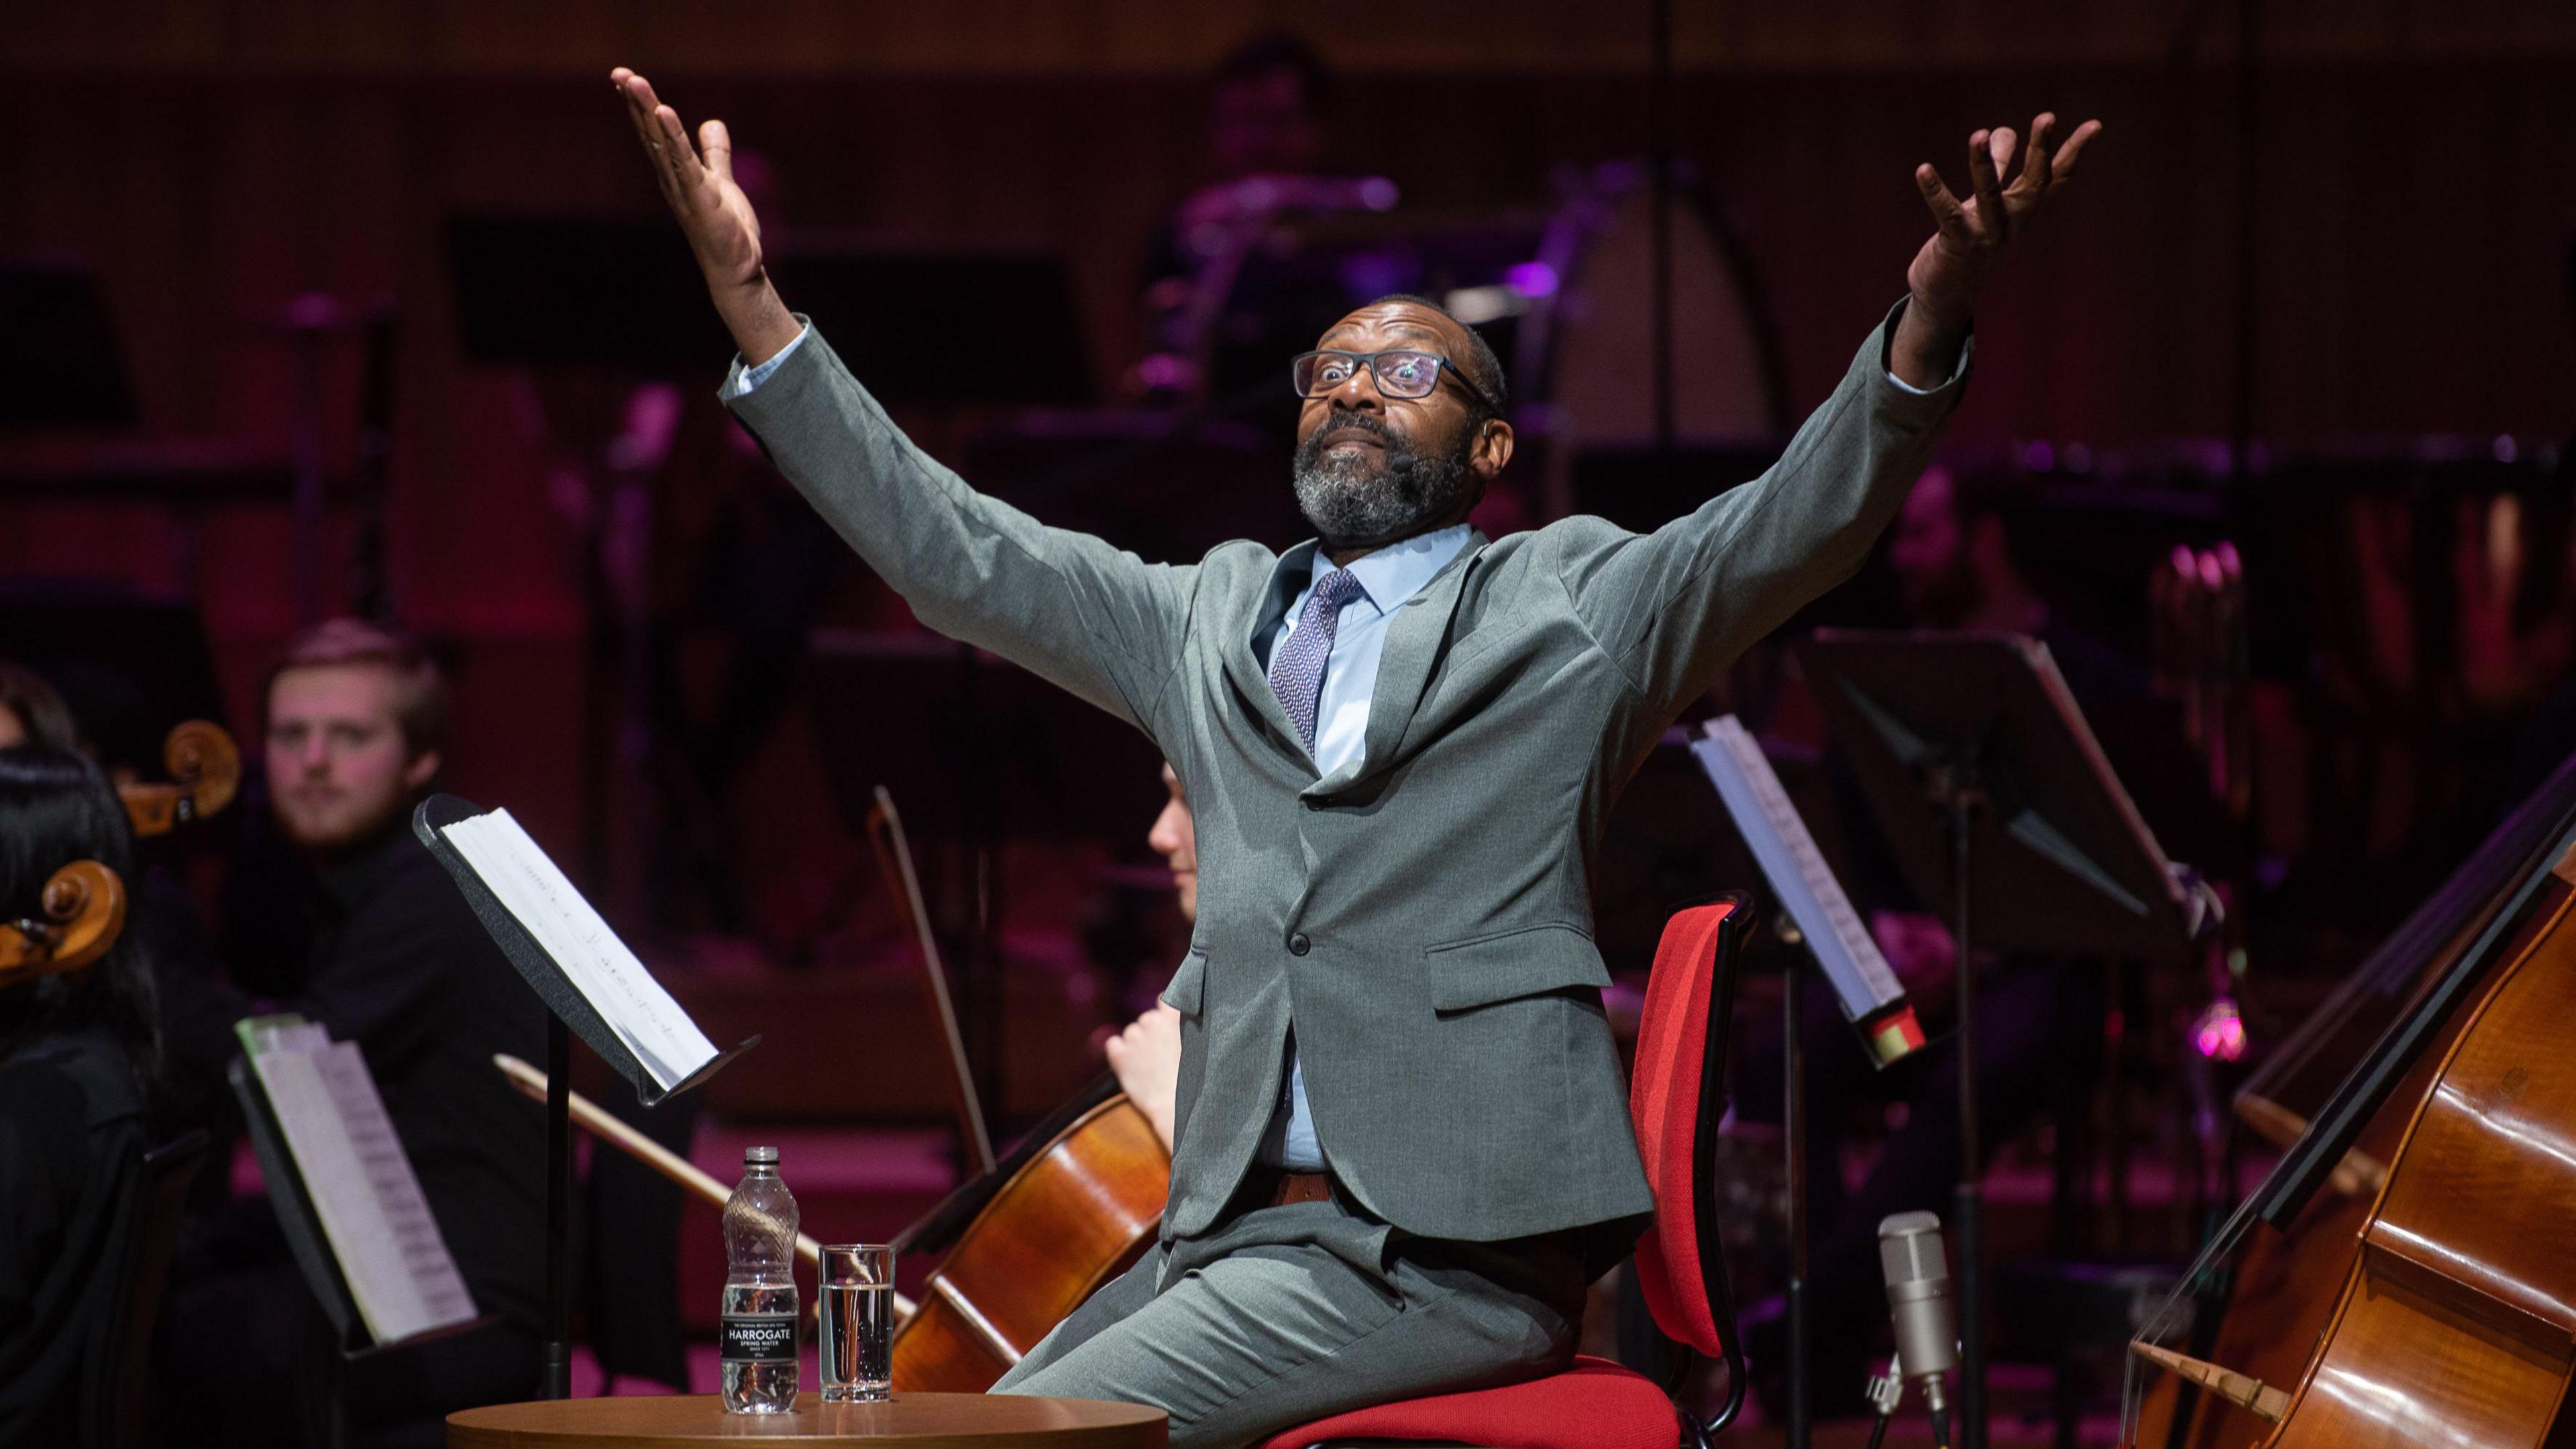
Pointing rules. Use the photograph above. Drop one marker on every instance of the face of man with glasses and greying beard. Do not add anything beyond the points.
(1372, 468)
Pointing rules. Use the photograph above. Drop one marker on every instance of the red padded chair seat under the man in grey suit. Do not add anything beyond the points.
(1591, 1406)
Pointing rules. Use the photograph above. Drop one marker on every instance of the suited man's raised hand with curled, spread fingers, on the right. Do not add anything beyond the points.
(1975, 231)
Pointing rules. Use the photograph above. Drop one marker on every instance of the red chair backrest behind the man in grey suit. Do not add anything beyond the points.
(1676, 1100)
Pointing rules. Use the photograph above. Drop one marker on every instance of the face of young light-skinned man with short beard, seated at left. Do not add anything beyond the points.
(339, 767)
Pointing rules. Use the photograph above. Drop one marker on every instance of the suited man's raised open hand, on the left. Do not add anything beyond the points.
(715, 215)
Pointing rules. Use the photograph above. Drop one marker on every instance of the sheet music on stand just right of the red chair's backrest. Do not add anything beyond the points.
(1797, 870)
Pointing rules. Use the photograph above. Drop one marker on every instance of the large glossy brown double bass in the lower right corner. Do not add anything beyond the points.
(2425, 1298)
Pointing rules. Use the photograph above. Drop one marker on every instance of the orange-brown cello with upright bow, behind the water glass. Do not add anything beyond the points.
(1037, 1231)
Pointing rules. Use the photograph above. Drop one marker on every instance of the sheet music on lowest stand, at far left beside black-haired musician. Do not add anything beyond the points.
(362, 1187)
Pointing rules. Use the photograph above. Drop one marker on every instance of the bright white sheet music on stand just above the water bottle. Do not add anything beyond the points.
(594, 960)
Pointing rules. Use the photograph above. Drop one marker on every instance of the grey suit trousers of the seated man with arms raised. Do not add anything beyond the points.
(1294, 1314)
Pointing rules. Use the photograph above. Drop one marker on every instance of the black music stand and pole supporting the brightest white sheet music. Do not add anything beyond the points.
(568, 1012)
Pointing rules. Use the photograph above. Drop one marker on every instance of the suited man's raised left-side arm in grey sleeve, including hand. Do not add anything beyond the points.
(1063, 605)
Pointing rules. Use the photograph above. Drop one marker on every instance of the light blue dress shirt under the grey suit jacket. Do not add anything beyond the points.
(1341, 736)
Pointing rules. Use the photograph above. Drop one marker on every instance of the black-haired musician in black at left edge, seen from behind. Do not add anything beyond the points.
(79, 1079)
